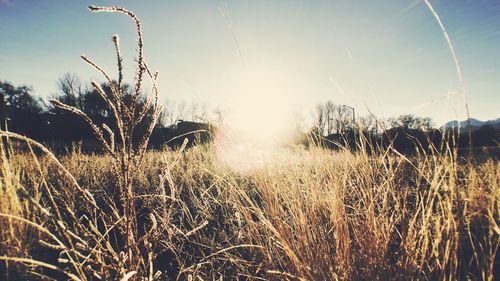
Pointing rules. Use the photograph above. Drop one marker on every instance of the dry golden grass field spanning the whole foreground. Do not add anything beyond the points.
(303, 215)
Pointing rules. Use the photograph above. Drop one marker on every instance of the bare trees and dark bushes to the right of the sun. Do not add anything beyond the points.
(336, 126)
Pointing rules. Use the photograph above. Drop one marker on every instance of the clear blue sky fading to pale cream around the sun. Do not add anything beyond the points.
(270, 58)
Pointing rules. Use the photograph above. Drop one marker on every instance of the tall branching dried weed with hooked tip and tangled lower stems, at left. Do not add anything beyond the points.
(83, 239)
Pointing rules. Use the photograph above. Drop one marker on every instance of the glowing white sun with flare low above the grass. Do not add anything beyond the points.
(258, 119)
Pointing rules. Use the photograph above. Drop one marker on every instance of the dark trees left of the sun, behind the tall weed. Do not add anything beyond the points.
(26, 114)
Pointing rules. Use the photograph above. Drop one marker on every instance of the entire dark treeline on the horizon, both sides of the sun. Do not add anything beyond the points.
(333, 125)
